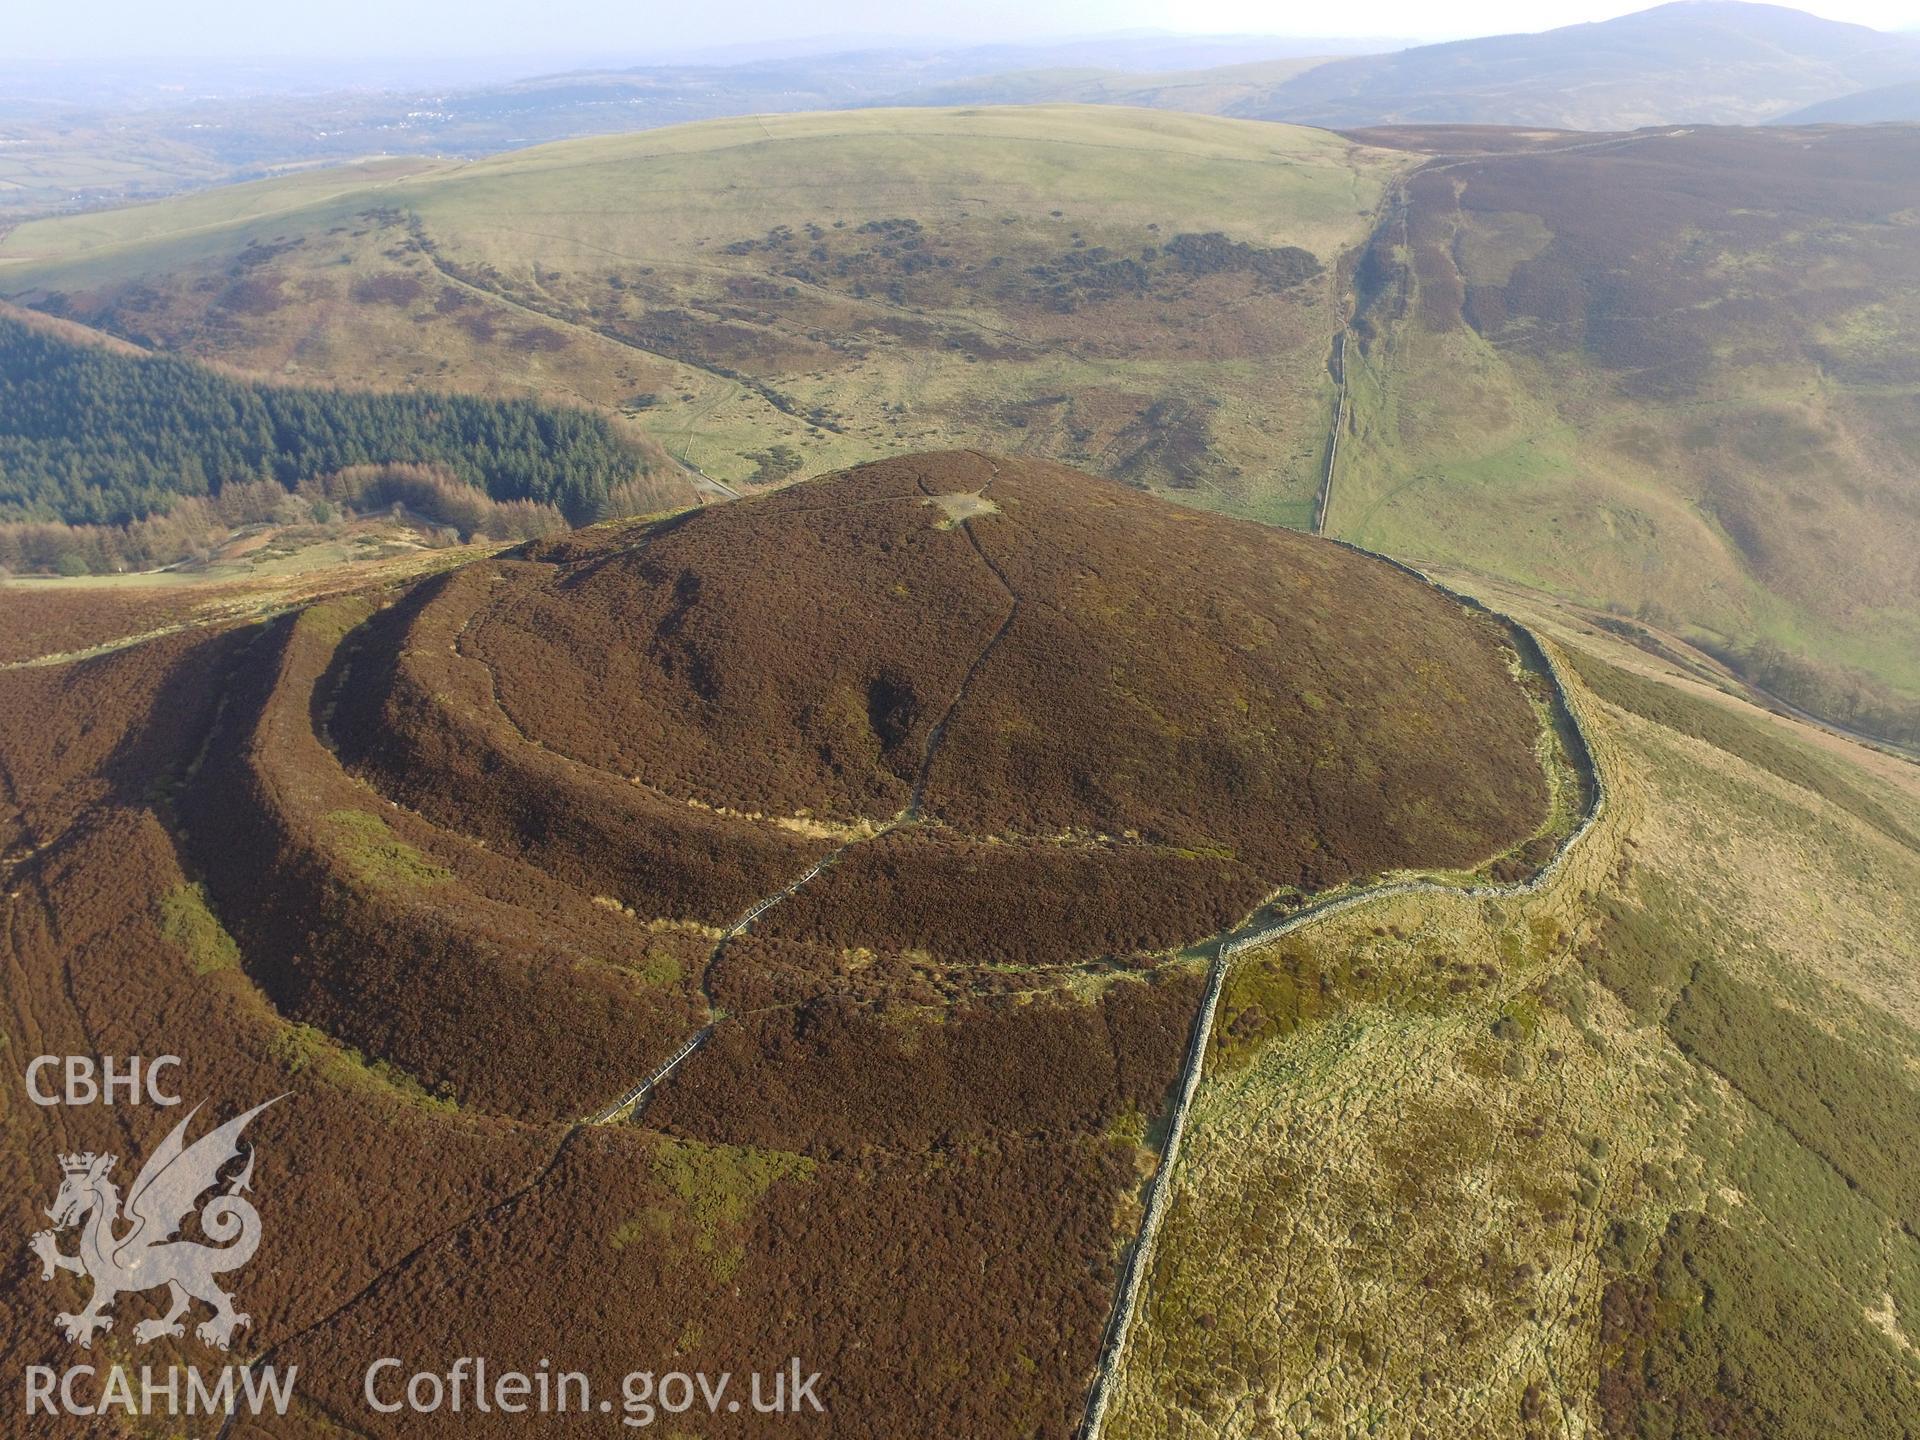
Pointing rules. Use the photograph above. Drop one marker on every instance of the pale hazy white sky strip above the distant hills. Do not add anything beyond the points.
(638, 30)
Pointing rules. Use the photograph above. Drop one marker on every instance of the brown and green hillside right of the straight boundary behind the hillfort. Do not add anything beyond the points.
(1668, 373)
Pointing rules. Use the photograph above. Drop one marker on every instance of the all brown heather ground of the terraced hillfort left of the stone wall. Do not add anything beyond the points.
(462, 861)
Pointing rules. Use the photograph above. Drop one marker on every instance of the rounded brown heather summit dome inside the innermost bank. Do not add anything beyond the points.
(1022, 652)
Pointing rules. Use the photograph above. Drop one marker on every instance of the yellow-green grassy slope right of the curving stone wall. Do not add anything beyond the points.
(1627, 1155)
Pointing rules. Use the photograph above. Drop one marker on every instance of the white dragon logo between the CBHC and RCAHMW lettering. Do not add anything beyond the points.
(147, 1255)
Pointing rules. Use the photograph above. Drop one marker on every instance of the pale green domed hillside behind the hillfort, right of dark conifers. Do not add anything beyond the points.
(1145, 295)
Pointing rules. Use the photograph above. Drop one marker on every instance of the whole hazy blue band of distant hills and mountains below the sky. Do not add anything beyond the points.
(1700, 62)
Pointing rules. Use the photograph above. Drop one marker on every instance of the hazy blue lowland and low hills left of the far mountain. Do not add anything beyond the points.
(82, 139)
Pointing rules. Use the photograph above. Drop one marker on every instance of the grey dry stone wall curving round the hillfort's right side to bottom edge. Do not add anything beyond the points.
(1257, 934)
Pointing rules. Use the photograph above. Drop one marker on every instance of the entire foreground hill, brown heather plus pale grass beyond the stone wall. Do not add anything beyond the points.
(1618, 1153)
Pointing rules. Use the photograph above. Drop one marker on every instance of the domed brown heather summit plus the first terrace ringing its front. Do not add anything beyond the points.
(965, 671)
